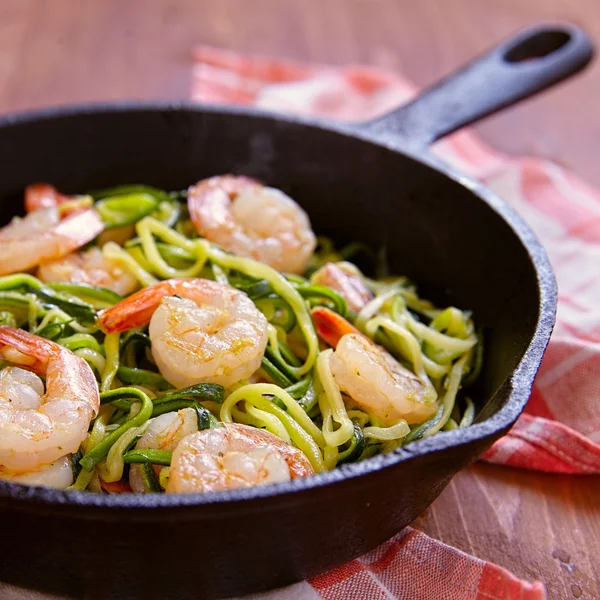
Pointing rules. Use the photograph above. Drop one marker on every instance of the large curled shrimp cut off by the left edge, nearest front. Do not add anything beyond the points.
(37, 428)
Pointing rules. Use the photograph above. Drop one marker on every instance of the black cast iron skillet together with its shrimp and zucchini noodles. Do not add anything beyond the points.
(239, 349)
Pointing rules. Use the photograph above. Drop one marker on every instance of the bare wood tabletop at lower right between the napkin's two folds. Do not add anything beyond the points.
(538, 526)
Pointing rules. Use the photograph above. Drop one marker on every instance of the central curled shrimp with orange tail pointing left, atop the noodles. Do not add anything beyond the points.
(201, 331)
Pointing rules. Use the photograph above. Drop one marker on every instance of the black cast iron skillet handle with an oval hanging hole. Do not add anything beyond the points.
(527, 63)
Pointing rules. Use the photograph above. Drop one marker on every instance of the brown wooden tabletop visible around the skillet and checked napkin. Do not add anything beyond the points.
(539, 526)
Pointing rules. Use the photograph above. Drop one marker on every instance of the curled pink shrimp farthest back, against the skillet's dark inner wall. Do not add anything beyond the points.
(248, 219)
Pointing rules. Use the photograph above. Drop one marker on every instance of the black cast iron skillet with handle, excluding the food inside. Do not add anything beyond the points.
(373, 182)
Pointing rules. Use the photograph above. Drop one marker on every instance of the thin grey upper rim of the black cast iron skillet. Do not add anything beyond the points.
(517, 386)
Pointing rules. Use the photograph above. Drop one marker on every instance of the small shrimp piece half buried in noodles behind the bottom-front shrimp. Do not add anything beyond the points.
(163, 433)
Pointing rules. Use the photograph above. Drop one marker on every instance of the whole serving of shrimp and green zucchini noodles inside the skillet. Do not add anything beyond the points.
(203, 340)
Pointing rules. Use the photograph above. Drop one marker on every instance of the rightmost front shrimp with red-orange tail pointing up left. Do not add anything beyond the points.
(371, 376)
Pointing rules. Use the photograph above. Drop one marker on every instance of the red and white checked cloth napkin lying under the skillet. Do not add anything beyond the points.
(560, 430)
